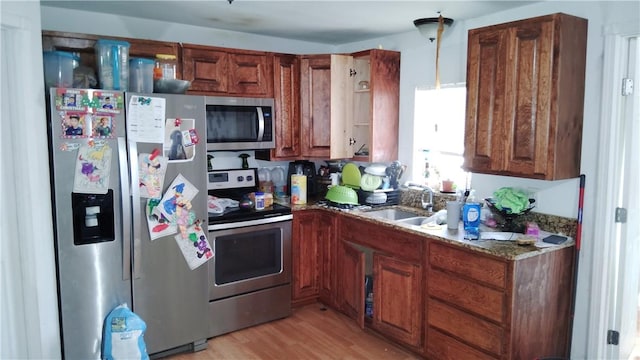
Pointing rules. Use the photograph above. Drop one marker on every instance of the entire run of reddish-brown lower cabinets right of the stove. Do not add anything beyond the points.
(435, 298)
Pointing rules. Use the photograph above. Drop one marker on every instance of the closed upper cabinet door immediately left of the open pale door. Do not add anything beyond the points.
(315, 106)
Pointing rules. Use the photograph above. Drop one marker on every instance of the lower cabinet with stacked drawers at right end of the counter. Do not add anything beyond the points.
(482, 307)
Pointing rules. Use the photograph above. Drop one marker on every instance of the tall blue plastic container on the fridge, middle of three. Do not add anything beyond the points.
(112, 59)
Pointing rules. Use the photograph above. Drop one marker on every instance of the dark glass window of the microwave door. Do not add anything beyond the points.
(232, 123)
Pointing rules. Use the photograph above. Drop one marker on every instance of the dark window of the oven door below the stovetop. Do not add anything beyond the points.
(247, 255)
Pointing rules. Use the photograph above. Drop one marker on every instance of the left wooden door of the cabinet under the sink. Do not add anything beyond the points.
(350, 275)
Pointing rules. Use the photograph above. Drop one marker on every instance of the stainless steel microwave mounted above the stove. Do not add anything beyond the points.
(236, 123)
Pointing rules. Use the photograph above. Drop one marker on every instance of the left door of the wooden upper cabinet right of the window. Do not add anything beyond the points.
(484, 130)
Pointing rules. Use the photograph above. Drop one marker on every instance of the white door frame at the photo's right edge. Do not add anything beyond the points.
(604, 268)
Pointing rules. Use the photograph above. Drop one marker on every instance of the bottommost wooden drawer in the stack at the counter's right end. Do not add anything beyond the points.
(443, 347)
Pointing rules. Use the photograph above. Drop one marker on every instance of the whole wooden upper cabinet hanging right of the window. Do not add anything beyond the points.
(525, 100)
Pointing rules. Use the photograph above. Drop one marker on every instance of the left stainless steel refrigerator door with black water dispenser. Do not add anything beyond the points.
(92, 254)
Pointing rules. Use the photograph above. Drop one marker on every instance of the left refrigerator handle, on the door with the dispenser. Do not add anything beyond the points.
(126, 206)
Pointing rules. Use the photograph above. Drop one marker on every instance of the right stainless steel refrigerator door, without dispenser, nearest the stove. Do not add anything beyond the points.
(171, 298)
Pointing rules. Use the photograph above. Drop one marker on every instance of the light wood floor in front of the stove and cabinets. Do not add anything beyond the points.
(309, 333)
